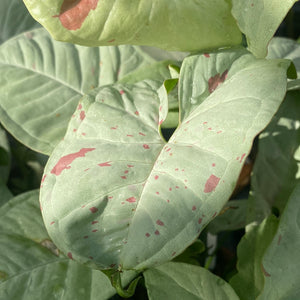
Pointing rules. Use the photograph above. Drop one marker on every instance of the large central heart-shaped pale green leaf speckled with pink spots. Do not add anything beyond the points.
(116, 195)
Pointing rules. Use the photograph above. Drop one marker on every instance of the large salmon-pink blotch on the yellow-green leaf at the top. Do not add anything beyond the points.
(73, 13)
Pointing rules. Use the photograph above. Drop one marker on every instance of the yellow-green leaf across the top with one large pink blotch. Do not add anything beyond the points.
(168, 24)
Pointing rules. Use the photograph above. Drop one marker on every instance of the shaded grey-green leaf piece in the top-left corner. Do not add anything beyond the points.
(14, 19)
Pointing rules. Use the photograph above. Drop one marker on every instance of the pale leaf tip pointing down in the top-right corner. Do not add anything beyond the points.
(259, 20)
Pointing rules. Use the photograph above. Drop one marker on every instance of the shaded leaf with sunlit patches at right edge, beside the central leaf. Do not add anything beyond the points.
(277, 166)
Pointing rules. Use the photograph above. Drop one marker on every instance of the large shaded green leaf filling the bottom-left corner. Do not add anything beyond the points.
(28, 255)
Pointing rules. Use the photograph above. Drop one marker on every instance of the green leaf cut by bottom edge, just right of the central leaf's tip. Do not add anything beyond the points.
(183, 281)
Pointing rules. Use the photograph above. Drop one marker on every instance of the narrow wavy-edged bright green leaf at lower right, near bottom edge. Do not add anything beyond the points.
(249, 281)
